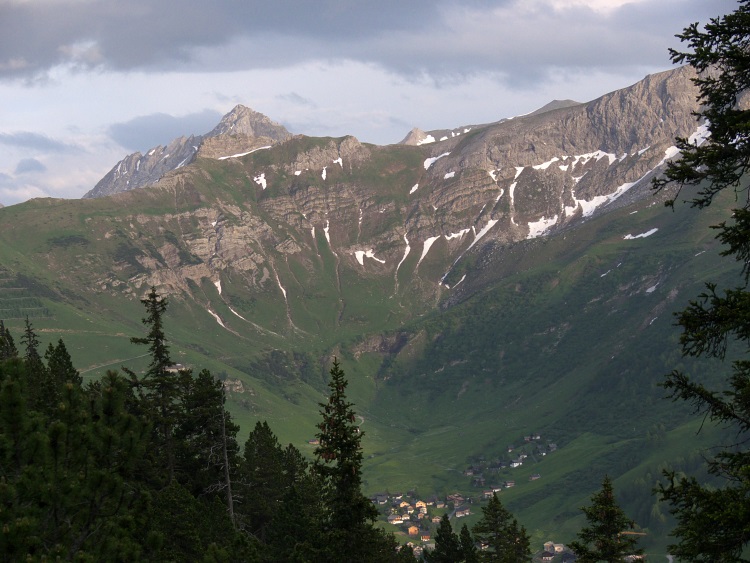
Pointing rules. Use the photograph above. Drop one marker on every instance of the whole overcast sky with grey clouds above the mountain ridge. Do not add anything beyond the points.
(83, 83)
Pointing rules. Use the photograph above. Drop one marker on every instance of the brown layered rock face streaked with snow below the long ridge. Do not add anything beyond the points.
(405, 214)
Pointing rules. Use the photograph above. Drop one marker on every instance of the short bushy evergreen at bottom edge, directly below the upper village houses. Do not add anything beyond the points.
(502, 539)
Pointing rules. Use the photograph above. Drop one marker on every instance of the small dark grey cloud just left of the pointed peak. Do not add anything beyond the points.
(147, 131)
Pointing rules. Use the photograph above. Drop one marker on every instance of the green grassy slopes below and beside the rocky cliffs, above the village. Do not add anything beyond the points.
(569, 338)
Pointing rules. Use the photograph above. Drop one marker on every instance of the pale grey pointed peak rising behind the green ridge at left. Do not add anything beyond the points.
(241, 130)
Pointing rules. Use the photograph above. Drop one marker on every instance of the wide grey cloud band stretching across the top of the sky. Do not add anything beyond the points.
(435, 37)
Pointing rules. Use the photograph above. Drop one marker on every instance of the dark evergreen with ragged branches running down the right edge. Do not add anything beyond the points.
(712, 522)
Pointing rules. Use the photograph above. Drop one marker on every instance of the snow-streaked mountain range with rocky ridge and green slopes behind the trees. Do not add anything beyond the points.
(481, 284)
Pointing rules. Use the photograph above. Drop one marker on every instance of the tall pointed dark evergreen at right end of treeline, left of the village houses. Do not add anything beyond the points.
(349, 515)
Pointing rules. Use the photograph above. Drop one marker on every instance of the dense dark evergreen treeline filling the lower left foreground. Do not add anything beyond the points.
(147, 468)
